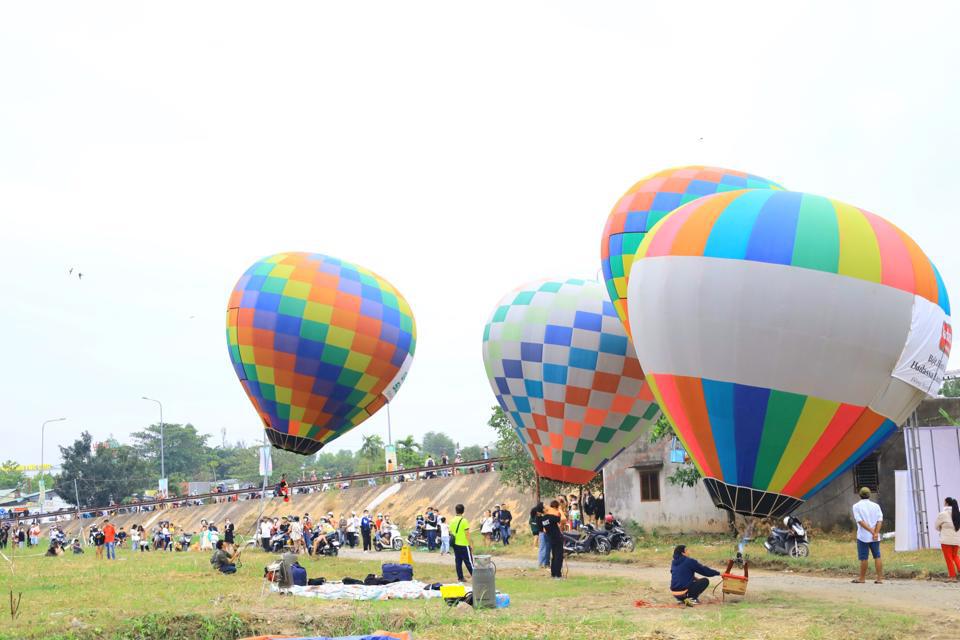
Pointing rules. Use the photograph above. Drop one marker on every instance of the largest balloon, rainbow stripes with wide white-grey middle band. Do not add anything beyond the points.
(785, 335)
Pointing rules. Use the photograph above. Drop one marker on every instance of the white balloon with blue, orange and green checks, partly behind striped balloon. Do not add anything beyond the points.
(563, 369)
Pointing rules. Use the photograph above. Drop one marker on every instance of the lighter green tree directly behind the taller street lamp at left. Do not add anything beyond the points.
(185, 451)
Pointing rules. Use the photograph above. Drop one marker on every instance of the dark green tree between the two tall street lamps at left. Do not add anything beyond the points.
(104, 474)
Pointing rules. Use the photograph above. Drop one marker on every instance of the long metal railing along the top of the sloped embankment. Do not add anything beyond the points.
(252, 492)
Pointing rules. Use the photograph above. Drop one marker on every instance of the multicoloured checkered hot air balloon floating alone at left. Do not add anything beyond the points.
(319, 345)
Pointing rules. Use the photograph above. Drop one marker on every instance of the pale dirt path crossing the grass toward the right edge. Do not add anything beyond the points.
(917, 597)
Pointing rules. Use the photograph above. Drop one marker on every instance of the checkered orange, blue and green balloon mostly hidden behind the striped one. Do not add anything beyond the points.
(645, 203)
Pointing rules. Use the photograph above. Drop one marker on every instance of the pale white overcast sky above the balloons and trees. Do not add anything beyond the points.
(458, 150)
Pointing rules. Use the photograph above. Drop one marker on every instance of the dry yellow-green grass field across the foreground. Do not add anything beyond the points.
(177, 596)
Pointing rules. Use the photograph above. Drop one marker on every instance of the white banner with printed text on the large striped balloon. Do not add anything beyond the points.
(924, 358)
